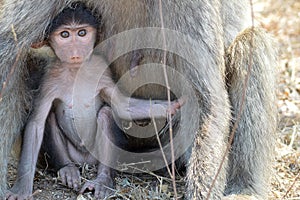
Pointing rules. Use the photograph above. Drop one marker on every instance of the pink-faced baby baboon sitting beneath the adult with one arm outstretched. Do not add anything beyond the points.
(72, 38)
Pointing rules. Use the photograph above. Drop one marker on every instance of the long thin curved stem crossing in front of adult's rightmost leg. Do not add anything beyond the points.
(233, 132)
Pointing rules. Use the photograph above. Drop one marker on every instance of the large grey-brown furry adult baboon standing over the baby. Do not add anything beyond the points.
(213, 29)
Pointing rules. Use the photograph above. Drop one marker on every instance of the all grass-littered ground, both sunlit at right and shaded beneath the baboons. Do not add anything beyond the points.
(282, 19)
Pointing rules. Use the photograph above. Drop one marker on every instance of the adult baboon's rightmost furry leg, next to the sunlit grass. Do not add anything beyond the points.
(252, 149)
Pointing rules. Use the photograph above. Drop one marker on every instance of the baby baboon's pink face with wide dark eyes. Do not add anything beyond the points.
(73, 43)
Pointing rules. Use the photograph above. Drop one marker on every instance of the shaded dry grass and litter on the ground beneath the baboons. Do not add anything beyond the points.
(128, 186)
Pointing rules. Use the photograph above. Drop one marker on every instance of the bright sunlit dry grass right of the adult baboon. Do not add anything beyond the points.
(282, 18)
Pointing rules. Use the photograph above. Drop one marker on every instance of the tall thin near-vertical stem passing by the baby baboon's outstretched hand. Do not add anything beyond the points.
(169, 98)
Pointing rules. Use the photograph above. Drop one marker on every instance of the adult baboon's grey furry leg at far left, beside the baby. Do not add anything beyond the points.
(22, 22)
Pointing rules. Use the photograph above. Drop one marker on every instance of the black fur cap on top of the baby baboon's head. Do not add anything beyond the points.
(77, 12)
